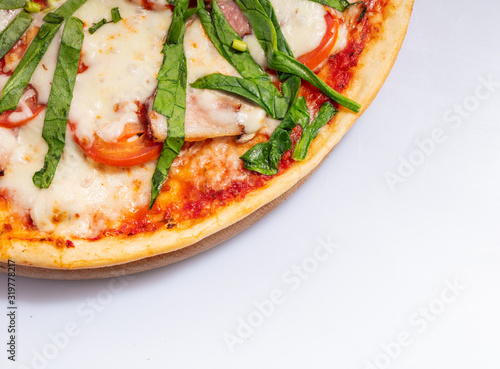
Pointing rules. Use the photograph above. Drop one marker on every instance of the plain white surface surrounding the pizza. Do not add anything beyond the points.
(398, 249)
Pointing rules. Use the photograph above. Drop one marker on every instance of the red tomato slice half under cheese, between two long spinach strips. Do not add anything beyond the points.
(121, 153)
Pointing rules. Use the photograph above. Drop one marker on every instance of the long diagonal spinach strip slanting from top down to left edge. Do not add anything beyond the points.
(17, 83)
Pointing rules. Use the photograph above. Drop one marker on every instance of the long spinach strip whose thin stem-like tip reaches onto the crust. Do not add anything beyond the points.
(278, 60)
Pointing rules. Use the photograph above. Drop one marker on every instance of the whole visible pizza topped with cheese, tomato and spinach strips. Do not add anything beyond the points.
(135, 133)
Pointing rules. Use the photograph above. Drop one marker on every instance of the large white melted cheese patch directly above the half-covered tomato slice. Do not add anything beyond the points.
(123, 61)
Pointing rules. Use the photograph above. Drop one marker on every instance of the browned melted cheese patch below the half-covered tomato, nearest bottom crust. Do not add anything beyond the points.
(84, 197)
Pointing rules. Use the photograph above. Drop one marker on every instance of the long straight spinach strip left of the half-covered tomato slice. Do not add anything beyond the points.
(61, 95)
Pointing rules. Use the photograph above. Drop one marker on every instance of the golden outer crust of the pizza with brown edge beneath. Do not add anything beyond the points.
(113, 256)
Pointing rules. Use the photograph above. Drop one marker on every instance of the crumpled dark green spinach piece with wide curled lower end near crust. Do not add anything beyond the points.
(264, 157)
